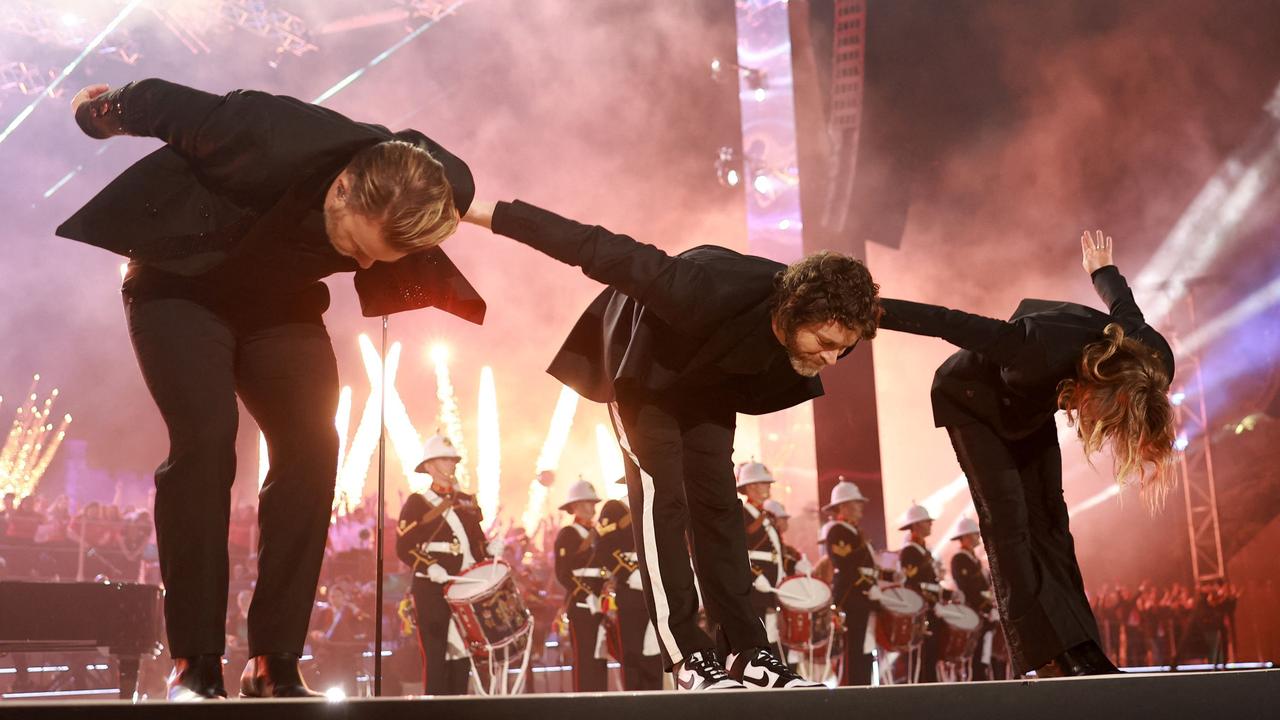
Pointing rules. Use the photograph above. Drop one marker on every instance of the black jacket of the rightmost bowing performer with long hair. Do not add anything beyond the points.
(1008, 373)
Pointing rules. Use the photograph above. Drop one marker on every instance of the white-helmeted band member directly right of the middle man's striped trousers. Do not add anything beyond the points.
(764, 546)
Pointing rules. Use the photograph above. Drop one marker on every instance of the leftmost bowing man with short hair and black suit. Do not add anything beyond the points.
(230, 229)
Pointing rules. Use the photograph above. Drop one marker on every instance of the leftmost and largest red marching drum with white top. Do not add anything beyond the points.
(490, 613)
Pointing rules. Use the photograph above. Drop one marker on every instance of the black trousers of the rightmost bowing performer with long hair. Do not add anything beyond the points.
(1017, 490)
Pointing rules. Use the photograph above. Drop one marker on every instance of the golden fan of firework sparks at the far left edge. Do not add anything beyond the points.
(31, 444)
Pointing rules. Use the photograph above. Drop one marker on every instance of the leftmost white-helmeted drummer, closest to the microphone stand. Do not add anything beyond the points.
(440, 536)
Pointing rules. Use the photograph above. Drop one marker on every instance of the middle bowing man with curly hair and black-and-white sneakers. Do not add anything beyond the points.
(678, 345)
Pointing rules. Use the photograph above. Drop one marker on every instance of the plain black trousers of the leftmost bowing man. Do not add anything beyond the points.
(195, 363)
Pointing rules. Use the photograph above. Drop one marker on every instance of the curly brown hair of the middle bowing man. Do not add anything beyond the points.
(828, 286)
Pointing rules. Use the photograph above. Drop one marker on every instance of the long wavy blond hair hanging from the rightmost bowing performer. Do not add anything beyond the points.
(1121, 398)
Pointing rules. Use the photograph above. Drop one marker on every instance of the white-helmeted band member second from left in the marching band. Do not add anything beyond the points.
(583, 577)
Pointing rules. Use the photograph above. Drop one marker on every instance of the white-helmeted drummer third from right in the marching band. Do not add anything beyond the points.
(854, 578)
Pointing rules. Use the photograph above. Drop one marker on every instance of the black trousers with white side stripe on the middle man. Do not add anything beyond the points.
(680, 485)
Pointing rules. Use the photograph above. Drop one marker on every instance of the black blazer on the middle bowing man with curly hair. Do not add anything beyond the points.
(696, 322)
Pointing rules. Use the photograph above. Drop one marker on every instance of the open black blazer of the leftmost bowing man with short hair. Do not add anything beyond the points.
(230, 160)
